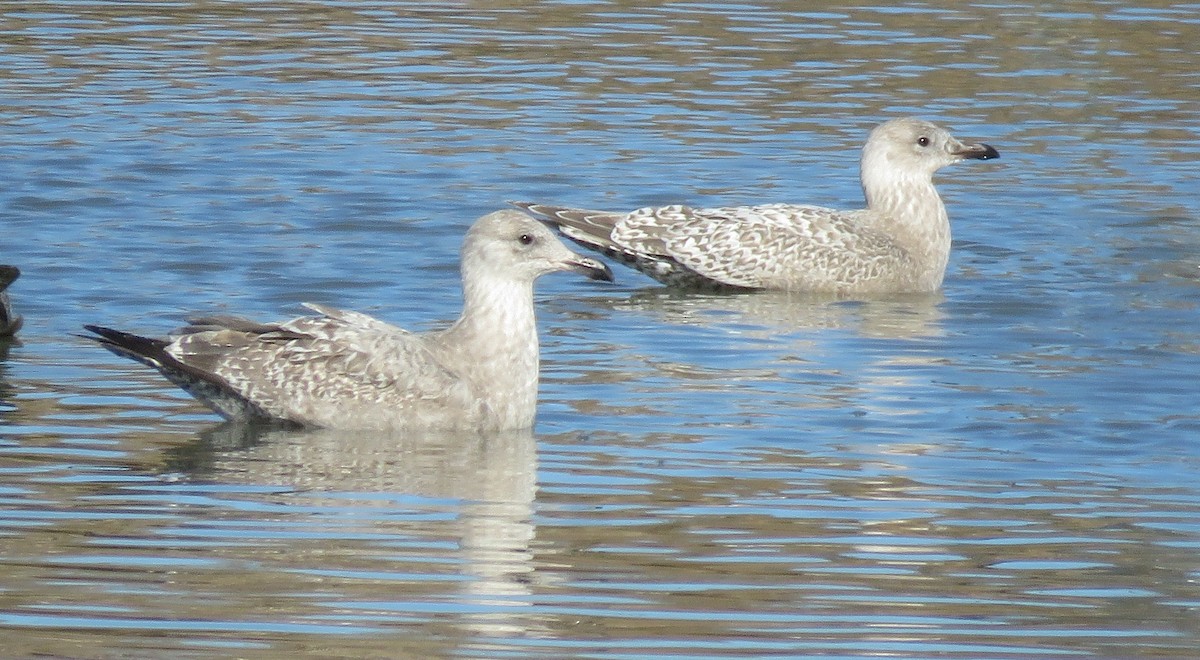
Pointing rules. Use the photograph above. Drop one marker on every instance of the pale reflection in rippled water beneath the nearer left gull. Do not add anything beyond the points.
(478, 490)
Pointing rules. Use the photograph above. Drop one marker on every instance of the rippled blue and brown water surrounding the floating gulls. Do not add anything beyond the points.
(1005, 470)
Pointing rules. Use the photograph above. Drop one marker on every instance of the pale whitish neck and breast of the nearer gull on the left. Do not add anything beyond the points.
(497, 341)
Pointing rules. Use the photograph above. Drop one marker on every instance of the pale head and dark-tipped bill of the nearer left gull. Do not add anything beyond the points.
(512, 245)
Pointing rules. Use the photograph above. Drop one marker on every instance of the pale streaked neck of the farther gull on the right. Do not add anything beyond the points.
(907, 207)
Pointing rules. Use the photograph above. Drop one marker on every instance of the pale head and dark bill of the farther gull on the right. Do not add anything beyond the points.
(914, 147)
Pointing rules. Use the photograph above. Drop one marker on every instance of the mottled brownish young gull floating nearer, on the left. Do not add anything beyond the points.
(346, 370)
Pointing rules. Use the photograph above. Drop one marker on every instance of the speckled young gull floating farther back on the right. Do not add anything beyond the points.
(899, 244)
